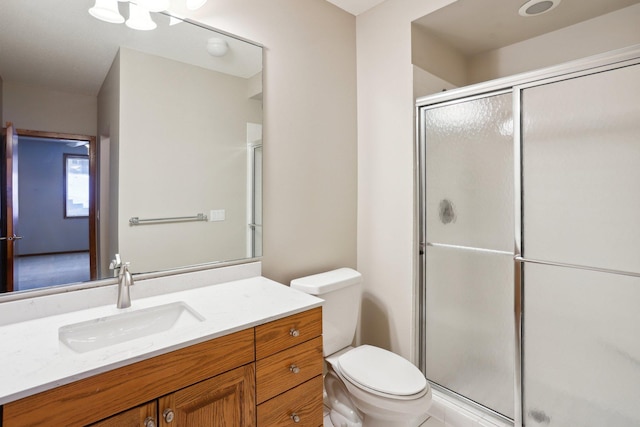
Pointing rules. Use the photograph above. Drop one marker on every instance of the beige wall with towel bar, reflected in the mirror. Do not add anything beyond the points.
(189, 132)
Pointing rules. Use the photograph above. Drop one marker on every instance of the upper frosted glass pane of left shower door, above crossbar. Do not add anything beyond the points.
(469, 163)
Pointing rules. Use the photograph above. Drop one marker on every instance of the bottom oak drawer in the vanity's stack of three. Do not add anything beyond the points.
(303, 402)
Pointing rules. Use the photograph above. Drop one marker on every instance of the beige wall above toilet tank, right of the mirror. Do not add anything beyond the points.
(310, 187)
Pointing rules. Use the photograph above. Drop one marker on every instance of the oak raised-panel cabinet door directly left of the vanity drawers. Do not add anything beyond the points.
(225, 400)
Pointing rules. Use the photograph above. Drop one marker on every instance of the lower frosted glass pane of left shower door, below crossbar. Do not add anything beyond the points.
(470, 325)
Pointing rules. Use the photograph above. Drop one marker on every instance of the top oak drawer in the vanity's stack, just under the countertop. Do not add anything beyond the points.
(281, 334)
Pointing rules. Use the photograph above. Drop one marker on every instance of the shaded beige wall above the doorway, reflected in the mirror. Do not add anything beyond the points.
(56, 111)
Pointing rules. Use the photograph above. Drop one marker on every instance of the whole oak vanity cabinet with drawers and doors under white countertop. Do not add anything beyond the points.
(216, 383)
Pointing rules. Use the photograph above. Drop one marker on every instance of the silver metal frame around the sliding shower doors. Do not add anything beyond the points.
(514, 84)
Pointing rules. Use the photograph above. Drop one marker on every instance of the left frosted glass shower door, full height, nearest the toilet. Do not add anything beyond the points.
(469, 229)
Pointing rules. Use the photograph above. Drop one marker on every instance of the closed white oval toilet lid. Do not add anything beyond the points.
(382, 371)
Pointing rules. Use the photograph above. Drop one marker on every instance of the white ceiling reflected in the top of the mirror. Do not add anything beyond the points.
(58, 45)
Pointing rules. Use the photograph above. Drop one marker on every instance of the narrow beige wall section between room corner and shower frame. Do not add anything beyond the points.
(385, 171)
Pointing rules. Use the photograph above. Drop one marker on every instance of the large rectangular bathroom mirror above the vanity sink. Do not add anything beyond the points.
(177, 151)
